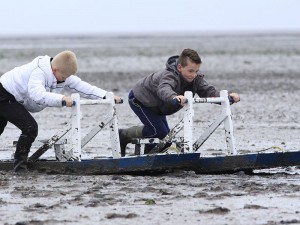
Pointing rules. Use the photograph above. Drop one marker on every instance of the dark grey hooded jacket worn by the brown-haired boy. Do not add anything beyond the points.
(157, 90)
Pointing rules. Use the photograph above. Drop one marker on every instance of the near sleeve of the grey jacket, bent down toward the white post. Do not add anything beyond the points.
(166, 87)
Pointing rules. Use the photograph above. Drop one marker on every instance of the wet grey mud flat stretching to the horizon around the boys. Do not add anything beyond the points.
(263, 68)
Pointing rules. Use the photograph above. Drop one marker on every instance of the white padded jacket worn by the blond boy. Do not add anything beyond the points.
(35, 86)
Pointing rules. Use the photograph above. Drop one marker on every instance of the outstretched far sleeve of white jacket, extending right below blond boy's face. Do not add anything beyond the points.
(75, 85)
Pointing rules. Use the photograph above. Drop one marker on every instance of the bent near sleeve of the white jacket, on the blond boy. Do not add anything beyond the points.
(37, 91)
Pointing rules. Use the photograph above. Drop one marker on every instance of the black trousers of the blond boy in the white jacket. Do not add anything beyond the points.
(15, 113)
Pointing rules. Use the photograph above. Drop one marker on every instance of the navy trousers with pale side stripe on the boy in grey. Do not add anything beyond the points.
(155, 126)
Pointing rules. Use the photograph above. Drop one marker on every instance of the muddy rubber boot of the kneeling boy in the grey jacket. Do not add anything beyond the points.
(126, 136)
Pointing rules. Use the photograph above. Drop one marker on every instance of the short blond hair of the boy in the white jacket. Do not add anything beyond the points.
(65, 62)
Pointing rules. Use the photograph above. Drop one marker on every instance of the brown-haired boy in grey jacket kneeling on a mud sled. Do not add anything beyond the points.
(153, 97)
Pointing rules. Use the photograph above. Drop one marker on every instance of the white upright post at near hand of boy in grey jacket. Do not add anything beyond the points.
(188, 122)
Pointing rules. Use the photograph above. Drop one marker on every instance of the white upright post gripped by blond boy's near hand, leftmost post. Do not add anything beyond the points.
(76, 128)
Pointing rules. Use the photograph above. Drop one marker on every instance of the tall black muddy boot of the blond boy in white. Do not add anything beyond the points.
(21, 154)
